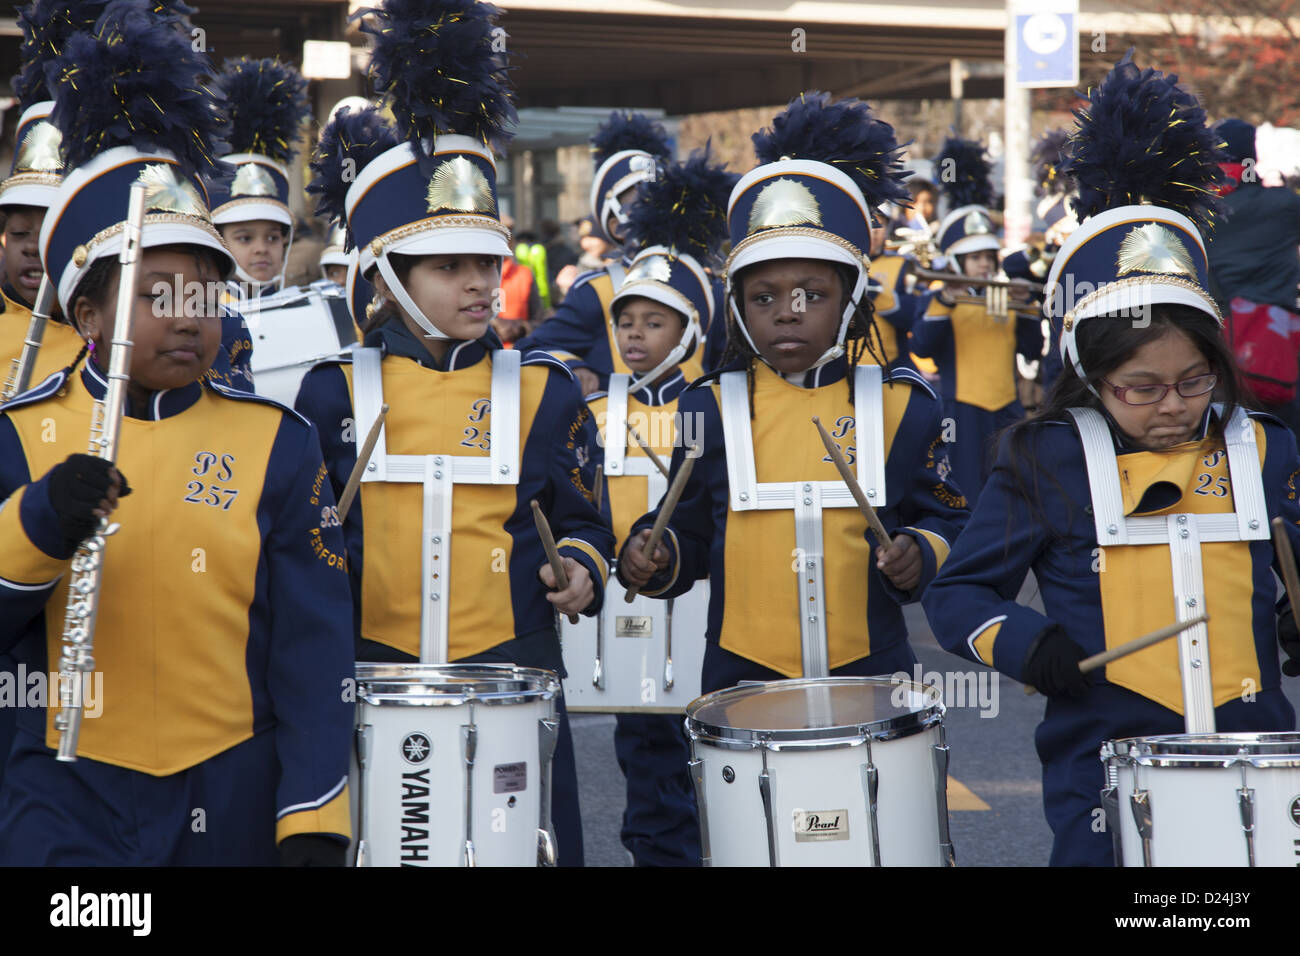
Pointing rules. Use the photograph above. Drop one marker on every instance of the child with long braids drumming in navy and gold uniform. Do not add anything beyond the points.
(796, 282)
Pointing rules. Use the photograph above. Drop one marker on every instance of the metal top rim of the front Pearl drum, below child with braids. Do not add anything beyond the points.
(903, 725)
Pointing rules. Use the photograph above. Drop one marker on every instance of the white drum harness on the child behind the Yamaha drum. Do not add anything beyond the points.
(439, 474)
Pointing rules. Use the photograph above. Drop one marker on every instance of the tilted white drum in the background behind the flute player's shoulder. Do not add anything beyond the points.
(292, 331)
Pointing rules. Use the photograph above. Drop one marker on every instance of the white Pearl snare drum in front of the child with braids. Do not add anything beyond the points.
(833, 772)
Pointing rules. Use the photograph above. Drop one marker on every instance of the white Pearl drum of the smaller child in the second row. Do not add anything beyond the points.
(643, 657)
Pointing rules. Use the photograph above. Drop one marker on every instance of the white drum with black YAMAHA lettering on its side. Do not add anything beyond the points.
(454, 765)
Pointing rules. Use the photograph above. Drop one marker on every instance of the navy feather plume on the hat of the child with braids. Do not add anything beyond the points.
(843, 135)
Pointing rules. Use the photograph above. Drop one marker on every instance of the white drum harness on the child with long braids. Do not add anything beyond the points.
(805, 499)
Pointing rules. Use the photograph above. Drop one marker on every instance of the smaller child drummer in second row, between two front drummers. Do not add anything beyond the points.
(679, 223)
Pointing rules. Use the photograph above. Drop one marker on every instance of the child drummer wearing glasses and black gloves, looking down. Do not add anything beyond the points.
(1112, 491)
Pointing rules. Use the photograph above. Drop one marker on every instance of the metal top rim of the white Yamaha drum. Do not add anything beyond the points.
(534, 684)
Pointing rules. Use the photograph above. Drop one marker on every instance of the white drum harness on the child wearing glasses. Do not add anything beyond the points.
(1184, 535)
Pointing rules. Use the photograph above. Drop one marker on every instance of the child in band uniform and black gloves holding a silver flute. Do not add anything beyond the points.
(223, 729)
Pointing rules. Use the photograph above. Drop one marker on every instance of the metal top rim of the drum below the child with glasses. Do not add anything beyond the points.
(1199, 751)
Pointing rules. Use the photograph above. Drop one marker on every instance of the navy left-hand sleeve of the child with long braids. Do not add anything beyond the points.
(690, 534)
